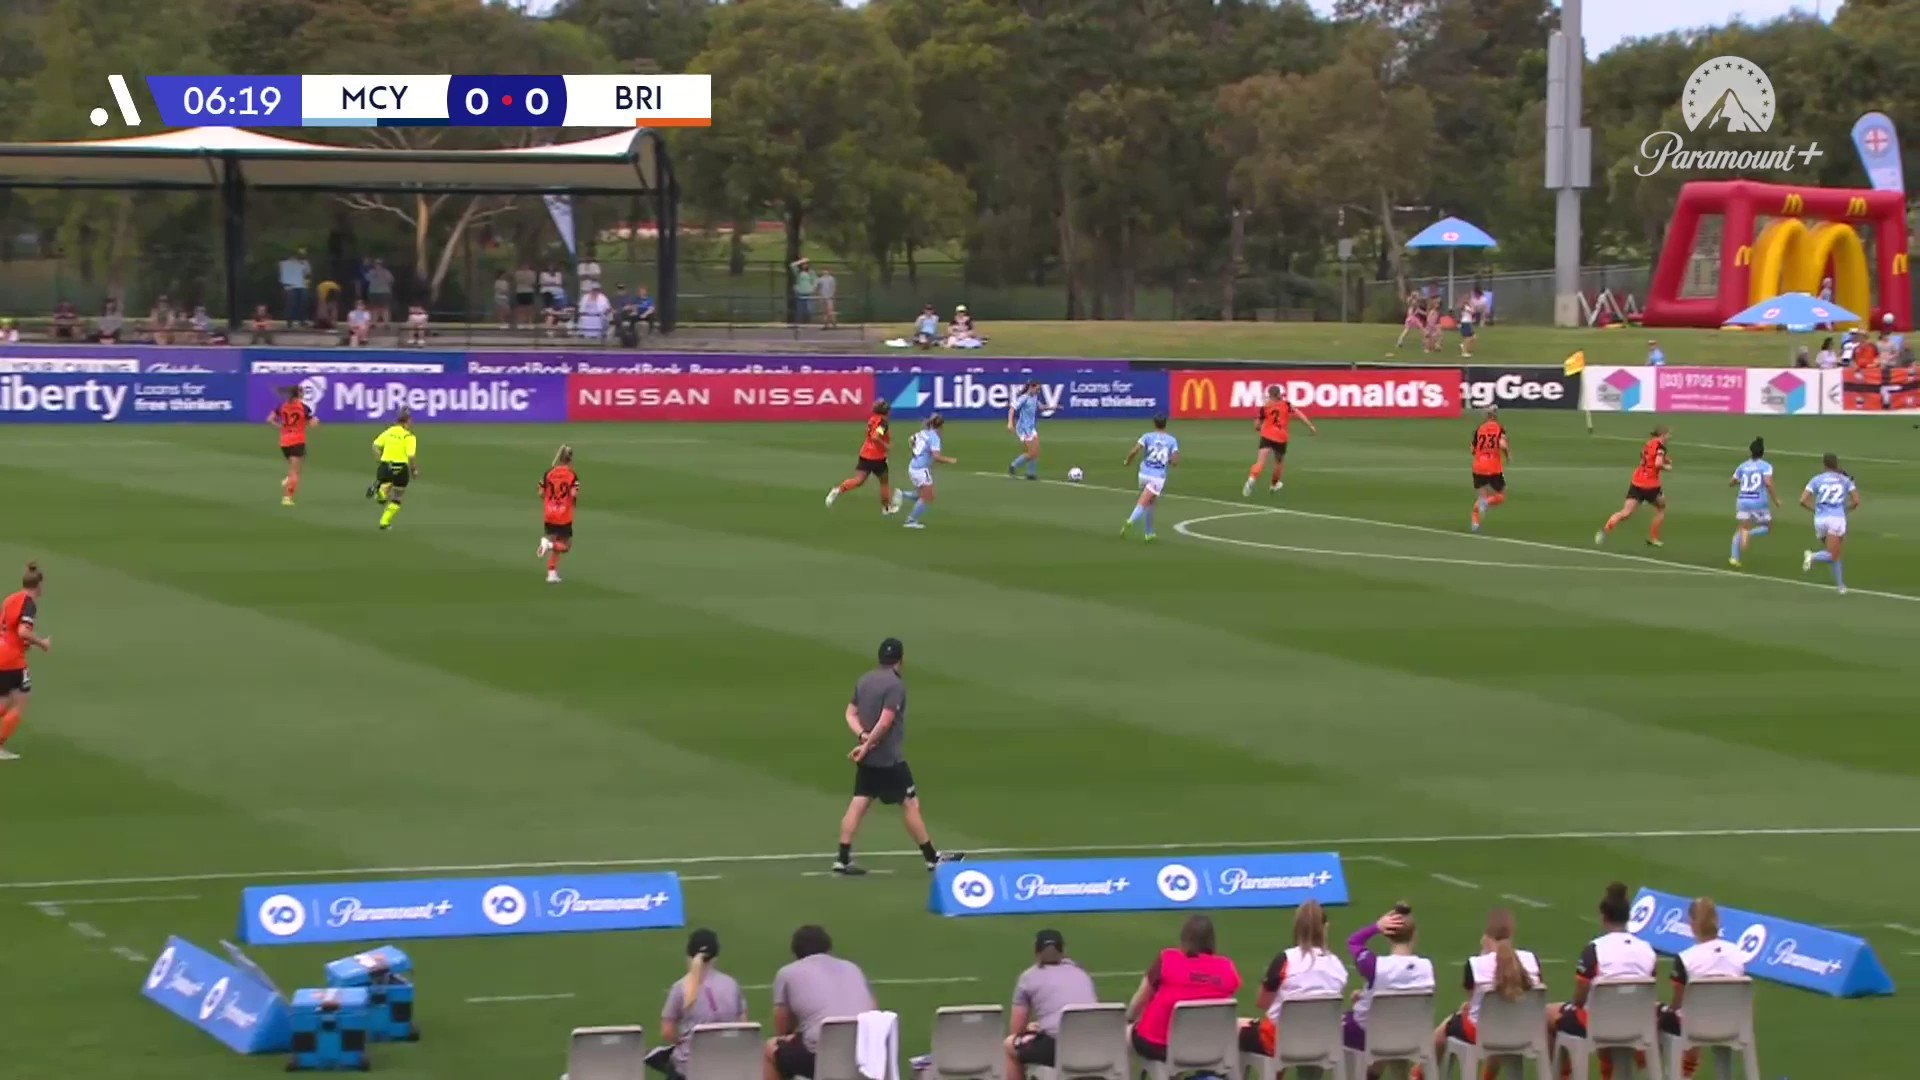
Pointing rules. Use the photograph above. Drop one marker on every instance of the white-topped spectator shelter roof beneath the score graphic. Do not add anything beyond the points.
(201, 159)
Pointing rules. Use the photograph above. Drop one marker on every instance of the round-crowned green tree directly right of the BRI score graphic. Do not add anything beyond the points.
(813, 114)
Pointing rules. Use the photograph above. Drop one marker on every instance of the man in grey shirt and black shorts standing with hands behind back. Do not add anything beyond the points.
(876, 716)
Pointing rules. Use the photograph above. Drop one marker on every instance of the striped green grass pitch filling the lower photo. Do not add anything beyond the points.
(245, 693)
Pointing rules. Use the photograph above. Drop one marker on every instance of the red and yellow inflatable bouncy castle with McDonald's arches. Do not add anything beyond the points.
(1810, 235)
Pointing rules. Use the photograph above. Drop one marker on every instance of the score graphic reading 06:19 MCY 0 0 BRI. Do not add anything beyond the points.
(433, 101)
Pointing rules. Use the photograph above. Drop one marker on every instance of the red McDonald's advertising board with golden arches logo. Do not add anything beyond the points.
(1412, 393)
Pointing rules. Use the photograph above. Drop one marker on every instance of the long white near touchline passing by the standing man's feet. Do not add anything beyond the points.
(1333, 843)
